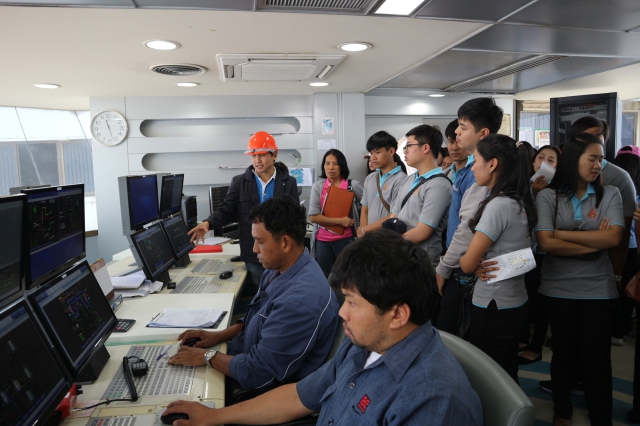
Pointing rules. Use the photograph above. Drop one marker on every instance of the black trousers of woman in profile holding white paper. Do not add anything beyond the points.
(496, 332)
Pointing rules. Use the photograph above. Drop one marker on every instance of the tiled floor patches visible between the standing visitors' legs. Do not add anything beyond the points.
(622, 362)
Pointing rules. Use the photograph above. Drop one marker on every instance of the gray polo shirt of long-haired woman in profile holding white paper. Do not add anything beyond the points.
(505, 222)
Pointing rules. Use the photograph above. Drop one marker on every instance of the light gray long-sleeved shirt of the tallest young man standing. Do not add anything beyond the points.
(463, 235)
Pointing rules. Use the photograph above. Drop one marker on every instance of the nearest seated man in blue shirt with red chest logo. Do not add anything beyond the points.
(394, 369)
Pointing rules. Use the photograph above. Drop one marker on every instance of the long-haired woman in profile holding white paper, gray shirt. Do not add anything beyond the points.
(503, 224)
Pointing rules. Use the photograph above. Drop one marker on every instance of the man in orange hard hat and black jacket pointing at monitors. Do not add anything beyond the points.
(262, 180)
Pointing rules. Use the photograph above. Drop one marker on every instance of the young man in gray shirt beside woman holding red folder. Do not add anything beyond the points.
(381, 187)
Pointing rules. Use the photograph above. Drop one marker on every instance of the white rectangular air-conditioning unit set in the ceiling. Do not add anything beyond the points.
(276, 67)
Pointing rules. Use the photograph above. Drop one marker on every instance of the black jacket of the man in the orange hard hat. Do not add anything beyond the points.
(241, 196)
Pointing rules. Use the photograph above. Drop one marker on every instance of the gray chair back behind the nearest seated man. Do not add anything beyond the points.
(503, 402)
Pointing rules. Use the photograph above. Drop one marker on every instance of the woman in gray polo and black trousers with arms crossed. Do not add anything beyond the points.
(579, 220)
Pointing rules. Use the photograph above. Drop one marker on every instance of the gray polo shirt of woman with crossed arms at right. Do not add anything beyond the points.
(567, 277)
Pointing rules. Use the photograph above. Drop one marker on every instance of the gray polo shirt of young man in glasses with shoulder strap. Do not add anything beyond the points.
(430, 205)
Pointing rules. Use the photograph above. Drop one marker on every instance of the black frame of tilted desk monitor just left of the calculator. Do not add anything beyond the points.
(96, 343)
